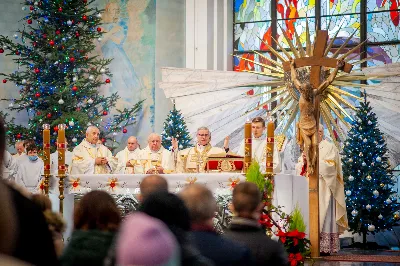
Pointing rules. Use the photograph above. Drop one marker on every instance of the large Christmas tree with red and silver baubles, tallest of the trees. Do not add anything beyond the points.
(58, 76)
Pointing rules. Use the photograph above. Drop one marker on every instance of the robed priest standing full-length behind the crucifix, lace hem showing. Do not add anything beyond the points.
(332, 205)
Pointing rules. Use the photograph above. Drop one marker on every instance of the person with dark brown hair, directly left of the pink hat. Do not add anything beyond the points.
(96, 221)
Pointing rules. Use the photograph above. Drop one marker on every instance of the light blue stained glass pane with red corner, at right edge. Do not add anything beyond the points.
(383, 26)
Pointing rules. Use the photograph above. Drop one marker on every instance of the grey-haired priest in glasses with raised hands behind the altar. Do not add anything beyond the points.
(192, 160)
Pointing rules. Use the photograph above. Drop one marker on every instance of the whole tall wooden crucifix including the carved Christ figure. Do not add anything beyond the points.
(307, 128)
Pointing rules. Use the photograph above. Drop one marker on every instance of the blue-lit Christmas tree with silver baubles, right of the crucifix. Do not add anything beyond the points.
(371, 201)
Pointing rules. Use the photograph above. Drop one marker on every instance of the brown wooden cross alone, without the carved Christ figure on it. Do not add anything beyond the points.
(317, 61)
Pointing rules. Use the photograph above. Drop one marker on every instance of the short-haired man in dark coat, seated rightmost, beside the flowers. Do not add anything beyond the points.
(244, 228)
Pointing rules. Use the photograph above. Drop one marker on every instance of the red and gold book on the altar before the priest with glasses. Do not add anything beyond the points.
(224, 162)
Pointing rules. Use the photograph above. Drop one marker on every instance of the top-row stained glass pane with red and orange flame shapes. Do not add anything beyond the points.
(295, 8)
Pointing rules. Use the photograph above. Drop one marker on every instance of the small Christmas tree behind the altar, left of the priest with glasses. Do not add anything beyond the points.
(175, 127)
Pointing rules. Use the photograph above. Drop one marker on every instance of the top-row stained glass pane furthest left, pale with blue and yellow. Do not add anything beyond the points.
(252, 10)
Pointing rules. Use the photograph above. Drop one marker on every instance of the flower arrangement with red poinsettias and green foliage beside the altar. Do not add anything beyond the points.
(289, 228)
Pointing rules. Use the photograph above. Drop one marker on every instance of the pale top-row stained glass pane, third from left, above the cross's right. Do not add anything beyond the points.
(339, 7)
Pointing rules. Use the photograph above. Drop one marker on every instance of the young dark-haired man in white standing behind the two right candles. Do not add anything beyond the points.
(259, 146)
